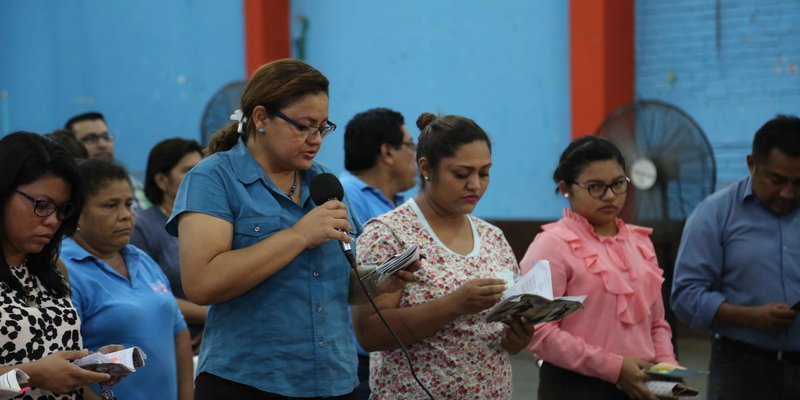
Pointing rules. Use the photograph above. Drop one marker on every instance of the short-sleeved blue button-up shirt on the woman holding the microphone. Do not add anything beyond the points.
(289, 334)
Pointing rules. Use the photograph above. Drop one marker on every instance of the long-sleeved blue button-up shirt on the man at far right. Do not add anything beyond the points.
(736, 251)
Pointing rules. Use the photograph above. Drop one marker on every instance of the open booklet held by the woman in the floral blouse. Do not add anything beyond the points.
(532, 297)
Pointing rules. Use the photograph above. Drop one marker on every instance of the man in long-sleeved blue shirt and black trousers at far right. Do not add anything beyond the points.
(738, 272)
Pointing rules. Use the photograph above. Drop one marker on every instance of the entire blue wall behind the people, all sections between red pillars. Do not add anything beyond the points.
(151, 66)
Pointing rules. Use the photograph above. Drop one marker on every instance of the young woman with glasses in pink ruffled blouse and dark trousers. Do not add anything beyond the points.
(599, 352)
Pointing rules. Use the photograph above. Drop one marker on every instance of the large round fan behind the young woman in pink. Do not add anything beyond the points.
(669, 160)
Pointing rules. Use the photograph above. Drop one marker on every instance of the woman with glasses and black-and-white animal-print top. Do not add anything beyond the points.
(40, 194)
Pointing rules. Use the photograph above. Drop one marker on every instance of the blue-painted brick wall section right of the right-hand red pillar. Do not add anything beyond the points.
(731, 65)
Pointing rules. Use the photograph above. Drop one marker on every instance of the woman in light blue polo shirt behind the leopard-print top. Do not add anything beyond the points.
(120, 293)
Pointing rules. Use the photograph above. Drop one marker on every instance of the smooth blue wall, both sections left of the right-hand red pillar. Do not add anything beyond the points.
(150, 66)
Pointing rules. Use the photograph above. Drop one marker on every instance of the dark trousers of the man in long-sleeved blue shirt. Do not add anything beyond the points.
(740, 371)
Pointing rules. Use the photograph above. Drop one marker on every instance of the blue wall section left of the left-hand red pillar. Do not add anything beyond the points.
(148, 65)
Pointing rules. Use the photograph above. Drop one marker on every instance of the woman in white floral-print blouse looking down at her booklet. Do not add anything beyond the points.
(439, 316)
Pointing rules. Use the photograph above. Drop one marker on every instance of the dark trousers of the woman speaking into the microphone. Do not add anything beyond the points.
(212, 387)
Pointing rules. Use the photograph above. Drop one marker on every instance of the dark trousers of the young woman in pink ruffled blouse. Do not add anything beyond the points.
(556, 383)
